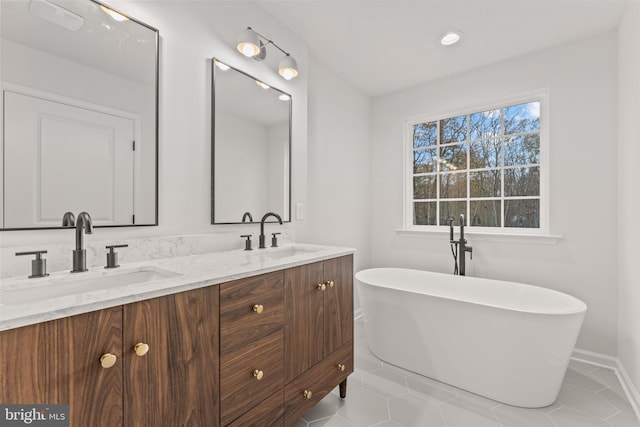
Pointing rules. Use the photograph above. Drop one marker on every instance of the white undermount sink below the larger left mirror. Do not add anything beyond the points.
(77, 283)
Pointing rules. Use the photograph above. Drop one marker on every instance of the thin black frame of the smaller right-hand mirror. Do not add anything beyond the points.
(213, 145)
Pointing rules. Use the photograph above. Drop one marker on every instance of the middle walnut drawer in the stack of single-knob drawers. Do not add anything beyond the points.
(249, 375)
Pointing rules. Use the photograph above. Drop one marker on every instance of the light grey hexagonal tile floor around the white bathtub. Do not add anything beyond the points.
(382, 395)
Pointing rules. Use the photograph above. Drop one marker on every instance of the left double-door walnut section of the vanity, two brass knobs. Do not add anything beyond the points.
(174, 384)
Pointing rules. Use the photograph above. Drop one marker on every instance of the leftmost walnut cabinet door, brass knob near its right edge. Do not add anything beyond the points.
(58, 362)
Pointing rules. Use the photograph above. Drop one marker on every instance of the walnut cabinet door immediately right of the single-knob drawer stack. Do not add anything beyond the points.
(304, 321)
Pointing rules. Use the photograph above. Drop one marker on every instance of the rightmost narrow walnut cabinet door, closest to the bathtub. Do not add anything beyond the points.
(338, 308)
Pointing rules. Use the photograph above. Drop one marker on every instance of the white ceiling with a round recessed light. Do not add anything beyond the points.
(382, 46)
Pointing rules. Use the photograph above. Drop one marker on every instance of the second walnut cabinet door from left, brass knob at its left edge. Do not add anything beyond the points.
(176, 382)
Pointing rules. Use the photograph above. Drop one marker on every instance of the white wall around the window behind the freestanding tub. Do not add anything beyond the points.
(581, 79)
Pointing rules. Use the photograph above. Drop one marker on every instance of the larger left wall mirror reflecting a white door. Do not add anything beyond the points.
(79, 114)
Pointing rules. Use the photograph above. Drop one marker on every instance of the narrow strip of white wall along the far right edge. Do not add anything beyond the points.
(628, 195)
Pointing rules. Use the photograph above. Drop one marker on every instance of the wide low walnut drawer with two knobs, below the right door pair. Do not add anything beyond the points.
(319, 380)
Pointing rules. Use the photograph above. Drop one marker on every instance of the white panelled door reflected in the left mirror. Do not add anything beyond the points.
(60, 157)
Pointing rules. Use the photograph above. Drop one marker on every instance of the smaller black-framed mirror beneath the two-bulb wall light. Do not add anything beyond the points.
(251, 170)
